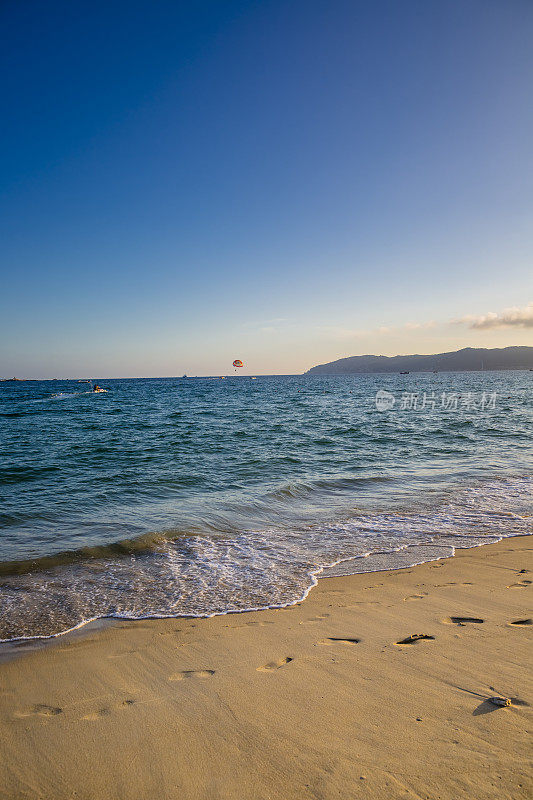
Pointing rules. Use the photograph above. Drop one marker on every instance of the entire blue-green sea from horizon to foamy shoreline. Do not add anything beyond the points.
(175, 497)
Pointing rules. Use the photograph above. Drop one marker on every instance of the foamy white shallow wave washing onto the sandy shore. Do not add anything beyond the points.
(201, 575)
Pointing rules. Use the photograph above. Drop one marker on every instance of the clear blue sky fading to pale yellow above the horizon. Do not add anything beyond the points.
(187, 183)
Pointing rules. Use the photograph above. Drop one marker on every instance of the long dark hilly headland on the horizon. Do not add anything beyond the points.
(470, 358)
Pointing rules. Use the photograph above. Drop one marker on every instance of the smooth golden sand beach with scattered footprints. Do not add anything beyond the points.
(315, 701)
